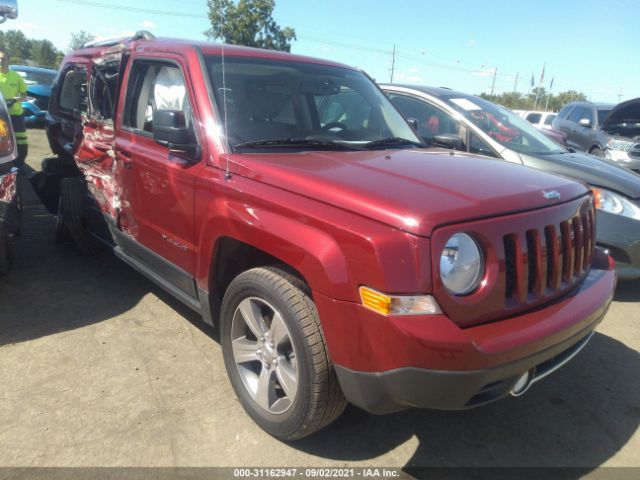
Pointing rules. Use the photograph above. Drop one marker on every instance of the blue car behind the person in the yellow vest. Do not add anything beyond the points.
(39, 81)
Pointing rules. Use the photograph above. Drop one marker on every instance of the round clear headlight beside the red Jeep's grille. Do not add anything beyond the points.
(461, 264)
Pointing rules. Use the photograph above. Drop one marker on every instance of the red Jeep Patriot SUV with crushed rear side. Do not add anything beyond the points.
(286, 200)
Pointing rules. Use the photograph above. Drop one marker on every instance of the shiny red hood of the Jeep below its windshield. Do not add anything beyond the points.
(412, 190)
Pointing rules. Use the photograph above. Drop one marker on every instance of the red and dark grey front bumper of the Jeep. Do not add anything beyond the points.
(430, 362)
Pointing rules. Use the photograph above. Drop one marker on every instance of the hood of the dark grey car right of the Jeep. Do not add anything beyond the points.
(591, 170)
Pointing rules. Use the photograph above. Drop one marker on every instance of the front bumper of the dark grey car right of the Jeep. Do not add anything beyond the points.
(621, 236)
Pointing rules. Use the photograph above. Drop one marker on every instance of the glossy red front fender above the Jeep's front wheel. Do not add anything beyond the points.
(334, 250)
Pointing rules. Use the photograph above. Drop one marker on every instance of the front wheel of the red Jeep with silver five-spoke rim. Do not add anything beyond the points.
(276, 356)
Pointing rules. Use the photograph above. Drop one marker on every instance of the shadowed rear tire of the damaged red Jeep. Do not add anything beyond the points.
(73, 218)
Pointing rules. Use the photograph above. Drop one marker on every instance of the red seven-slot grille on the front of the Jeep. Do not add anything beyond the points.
(543, 262)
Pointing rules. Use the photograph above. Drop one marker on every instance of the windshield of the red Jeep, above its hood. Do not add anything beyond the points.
(285, 105)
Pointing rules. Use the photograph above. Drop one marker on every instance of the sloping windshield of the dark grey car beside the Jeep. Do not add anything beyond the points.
(504, 126)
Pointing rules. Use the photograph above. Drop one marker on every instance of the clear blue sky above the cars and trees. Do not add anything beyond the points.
(588, 45)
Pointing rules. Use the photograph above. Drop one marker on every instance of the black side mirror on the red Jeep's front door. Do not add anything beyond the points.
(170, 129)
